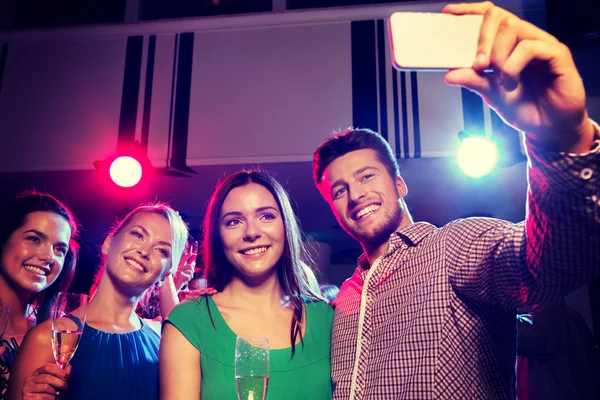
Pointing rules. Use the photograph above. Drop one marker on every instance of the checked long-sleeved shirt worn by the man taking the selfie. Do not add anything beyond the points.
(435, 317)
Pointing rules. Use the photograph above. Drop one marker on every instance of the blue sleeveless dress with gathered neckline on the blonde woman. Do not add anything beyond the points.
(115, 365)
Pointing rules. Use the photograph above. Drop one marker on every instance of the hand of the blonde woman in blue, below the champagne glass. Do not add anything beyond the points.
(46, 382)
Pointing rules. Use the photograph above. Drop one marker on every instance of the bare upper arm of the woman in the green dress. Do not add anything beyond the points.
(179, 360)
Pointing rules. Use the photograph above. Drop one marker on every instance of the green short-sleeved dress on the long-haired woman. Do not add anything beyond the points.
(306, 375)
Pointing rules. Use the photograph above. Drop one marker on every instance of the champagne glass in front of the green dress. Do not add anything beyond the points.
(252, 367)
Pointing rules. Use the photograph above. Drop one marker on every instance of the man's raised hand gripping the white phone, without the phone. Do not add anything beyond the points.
(534, 86)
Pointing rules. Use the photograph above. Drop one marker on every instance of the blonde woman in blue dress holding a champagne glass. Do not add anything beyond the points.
(117, 357)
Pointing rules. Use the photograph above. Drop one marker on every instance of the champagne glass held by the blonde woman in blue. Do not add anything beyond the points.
(68, 320)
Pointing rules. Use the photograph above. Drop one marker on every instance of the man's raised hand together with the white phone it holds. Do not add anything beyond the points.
(521, 71)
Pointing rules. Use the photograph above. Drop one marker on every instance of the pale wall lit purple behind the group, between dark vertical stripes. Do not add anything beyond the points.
(264, 88)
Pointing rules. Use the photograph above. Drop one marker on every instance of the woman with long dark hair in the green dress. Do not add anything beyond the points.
(253, 255)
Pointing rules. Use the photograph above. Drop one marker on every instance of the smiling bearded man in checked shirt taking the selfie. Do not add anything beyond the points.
(430, 313)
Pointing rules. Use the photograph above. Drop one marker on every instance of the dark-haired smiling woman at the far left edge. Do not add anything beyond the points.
(38, 256)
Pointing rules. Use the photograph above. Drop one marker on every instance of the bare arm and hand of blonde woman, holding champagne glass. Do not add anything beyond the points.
(34, 374)
